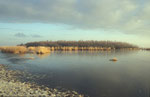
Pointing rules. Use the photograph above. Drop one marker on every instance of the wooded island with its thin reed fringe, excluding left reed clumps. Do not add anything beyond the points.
(82, 45)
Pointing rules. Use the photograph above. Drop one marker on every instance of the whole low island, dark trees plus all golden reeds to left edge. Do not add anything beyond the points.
(43, 47)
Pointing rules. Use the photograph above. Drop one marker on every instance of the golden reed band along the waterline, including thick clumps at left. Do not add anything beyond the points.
(44, 50)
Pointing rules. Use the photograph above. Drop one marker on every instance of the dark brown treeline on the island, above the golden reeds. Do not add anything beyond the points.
(102, 44)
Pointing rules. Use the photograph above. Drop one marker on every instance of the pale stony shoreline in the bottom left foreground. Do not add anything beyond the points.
(10, 85)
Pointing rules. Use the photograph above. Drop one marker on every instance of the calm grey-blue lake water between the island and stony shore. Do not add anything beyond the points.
(89, 73)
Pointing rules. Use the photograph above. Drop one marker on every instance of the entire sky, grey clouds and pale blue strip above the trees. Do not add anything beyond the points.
(24, 21)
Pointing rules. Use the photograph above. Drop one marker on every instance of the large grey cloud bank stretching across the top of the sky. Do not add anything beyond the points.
(128, 16)
